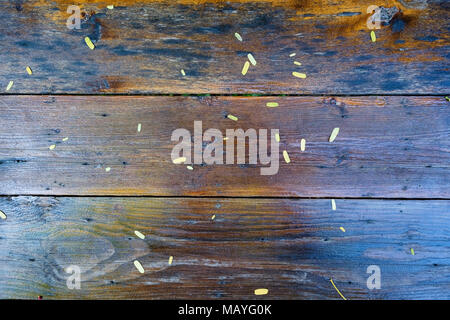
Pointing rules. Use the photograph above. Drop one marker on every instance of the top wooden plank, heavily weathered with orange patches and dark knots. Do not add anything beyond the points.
(142, 46)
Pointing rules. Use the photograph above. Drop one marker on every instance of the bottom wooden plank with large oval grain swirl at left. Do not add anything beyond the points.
(291, 247)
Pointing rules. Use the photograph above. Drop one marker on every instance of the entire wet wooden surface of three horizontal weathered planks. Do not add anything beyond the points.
(388, 169)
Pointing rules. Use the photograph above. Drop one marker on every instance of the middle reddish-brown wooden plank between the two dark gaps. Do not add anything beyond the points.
(387, 146)
